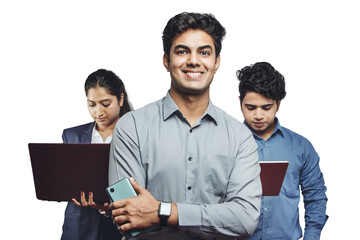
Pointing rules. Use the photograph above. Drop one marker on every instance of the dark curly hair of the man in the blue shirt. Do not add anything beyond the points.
(261, 78)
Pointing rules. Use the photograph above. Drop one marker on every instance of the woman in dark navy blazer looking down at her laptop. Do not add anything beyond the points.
(107, 102)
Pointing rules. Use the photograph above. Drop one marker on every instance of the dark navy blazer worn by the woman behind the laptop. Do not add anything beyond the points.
(85, 223)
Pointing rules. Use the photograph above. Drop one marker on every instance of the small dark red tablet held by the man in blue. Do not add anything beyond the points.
(272, 176)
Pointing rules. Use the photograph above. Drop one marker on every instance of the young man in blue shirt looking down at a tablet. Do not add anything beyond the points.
(261, 90)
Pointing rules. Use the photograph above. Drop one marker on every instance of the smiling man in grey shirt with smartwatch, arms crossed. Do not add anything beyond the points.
(196, 168)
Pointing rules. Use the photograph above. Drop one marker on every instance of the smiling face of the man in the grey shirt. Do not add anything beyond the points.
(192, 62)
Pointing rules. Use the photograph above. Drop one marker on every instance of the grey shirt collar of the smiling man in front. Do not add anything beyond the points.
(169, 108)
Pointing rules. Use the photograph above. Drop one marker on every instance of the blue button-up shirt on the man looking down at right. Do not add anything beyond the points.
(279, 217)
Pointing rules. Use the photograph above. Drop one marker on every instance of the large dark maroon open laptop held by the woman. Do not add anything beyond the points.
(61, 171)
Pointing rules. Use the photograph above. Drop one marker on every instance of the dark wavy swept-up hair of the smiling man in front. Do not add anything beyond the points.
(184, 21)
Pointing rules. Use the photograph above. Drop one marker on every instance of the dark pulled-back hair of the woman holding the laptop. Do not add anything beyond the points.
(112, 83)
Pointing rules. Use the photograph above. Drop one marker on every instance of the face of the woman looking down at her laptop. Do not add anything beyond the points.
(103, 107)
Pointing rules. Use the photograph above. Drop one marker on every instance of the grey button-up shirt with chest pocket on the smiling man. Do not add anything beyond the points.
(210, 170)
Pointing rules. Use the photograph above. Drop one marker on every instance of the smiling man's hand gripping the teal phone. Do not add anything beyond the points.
(137, 212)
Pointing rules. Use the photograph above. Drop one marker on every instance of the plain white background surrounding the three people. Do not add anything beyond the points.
(48, 48)
